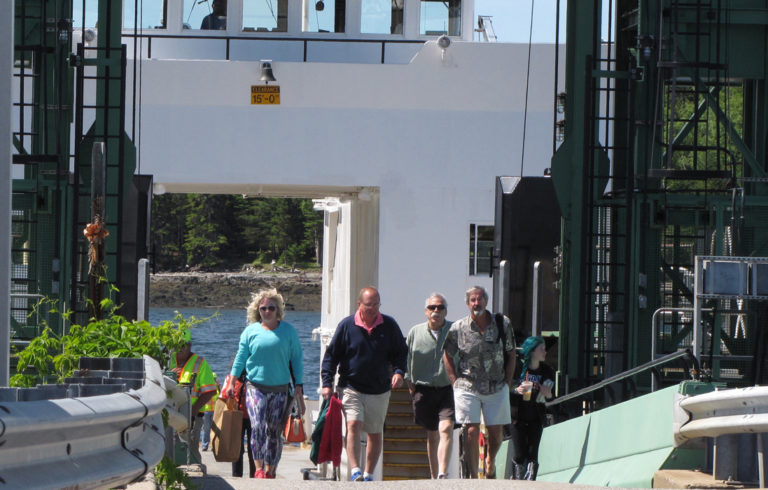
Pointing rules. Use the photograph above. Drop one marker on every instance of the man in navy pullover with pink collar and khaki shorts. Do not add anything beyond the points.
(370, 353)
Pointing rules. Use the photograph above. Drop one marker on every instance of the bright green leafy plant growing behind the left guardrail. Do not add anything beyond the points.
(49, 356)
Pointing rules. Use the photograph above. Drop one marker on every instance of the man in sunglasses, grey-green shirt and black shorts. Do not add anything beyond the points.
(429, 385)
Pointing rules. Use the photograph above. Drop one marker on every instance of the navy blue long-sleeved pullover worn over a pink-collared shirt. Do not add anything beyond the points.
(364, 360)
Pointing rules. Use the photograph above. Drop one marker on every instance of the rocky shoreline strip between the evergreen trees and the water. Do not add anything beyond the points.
(231, 290)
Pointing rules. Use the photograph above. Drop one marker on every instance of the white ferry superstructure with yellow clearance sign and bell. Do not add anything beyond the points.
(399, 138)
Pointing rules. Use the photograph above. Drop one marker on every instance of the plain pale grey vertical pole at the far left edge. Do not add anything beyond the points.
(6, 64)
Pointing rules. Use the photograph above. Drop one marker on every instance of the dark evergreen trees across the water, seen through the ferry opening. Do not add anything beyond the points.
(212, 232)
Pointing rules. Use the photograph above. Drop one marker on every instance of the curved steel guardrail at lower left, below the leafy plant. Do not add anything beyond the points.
(100, 441)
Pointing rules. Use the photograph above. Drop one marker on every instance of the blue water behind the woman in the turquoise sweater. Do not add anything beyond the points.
(216, 339)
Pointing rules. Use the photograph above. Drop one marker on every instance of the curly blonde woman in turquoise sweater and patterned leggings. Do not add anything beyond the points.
(270, 352)
